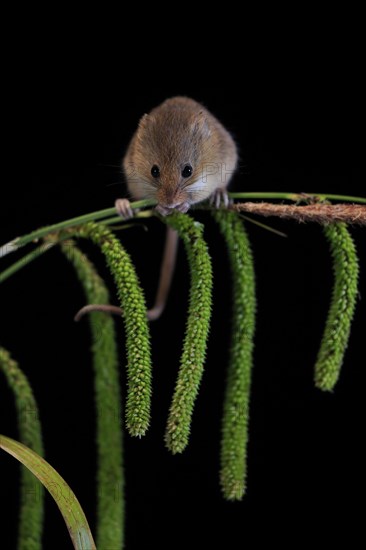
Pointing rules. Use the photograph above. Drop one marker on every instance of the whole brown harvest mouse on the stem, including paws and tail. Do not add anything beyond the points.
(179, 155)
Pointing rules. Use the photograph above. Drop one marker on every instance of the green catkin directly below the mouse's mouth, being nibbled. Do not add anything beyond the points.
(195, 342)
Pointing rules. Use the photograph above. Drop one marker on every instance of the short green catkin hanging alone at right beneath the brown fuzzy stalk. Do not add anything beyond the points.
(338, 325)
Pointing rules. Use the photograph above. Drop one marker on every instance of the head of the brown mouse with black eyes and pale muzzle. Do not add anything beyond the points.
(167, 158)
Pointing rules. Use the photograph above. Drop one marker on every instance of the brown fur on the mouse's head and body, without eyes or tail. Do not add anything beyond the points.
(178, 132)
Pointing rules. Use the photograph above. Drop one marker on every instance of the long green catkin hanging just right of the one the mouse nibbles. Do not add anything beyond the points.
(235, 422)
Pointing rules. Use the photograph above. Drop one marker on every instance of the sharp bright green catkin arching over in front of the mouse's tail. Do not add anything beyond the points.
(134, 315)
